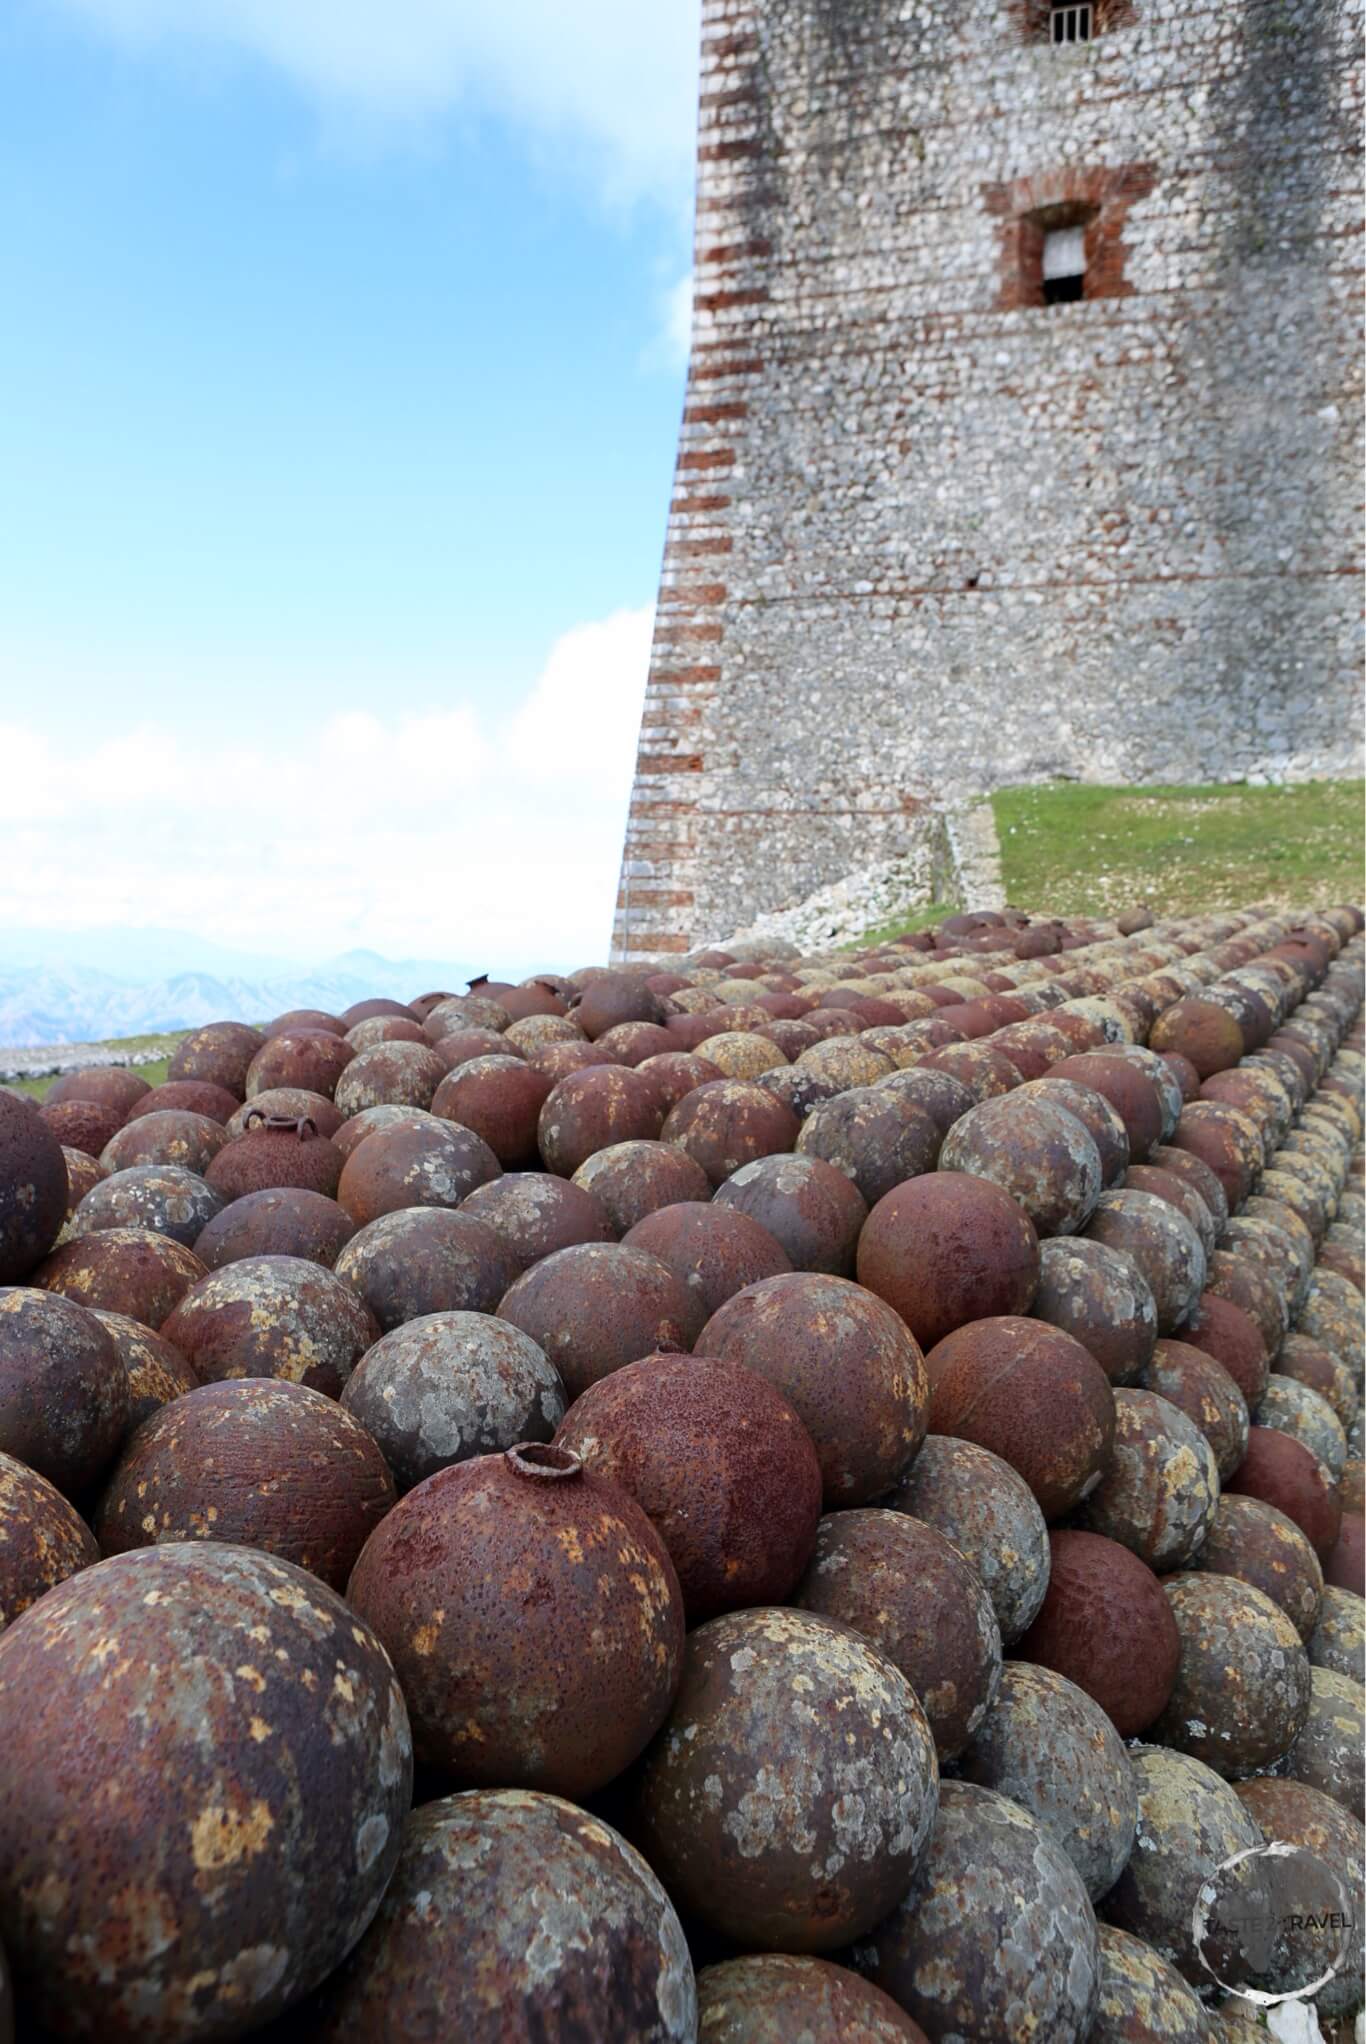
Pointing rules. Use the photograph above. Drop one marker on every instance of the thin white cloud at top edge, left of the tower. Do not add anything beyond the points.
(614, 77)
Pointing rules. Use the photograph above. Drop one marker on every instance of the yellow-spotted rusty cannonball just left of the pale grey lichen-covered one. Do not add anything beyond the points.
(273, 1317)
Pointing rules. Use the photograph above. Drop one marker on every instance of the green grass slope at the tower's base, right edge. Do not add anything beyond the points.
(1075, 851)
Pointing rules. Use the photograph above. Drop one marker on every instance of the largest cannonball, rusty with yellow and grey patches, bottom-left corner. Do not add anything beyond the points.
(210, 1771)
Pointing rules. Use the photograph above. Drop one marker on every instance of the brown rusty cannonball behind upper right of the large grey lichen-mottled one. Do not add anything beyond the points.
(907, 1589)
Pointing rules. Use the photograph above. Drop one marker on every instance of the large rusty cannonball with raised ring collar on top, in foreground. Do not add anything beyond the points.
(533, 1616)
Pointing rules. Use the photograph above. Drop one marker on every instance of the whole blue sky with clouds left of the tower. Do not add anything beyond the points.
(343, 365)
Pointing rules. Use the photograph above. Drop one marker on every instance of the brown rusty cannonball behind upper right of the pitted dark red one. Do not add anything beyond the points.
(846, 1362)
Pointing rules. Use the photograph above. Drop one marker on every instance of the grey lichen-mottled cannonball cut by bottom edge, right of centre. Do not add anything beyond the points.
(995, 1941)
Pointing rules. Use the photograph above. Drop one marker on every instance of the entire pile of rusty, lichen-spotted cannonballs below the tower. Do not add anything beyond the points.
(776, 1499)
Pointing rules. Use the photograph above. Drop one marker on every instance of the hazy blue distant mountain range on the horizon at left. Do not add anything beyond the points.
(46, 1001)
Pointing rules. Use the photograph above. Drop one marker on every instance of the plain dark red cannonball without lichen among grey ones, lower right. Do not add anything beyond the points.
(1107, 1626)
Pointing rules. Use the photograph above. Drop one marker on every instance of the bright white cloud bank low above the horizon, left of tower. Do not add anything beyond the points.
(437, 833)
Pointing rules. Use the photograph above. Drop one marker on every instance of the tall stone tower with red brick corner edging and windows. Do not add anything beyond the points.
(1021, 432)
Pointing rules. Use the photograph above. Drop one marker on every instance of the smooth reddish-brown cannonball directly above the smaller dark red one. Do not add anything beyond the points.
(1034, 1397)
